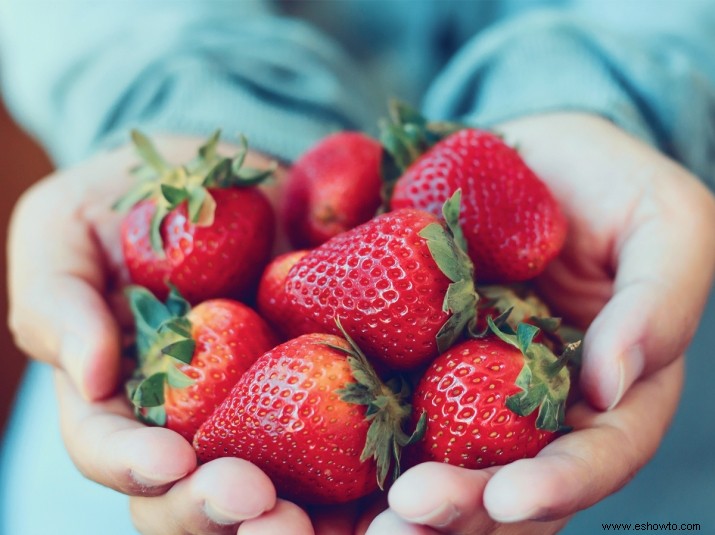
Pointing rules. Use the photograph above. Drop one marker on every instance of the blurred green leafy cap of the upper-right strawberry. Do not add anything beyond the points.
(405, 135)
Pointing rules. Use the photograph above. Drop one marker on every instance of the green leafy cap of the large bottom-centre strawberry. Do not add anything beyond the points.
(387, 411)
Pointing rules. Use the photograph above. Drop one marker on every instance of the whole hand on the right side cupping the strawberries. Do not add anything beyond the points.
(636, 270)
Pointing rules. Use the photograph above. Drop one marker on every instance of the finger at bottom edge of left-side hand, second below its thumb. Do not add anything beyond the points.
(214, 499)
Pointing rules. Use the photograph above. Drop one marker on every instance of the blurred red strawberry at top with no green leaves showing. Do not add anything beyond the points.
(333, 187)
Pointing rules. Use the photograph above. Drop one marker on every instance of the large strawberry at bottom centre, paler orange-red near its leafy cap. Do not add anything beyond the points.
(314, 416)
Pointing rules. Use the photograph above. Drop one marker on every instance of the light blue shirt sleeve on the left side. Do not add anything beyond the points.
(79, 74)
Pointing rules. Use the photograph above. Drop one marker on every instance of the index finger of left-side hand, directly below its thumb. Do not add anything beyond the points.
(110, 447)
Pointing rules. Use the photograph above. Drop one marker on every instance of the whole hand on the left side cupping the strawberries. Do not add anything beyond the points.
(65, 280)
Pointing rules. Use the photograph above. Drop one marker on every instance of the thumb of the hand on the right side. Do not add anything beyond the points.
(660, 290)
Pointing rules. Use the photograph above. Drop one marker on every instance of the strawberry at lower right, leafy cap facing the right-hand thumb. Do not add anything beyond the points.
(492, 400)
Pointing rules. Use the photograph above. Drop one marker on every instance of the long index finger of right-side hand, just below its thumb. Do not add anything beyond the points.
(600, 456)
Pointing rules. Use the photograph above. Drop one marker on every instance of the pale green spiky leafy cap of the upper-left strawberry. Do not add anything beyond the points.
(170, 185)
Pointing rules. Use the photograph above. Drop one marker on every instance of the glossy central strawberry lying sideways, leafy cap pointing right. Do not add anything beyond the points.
(401, 284)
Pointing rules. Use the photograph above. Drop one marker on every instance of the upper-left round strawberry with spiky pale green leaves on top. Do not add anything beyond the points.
(204, 227)
